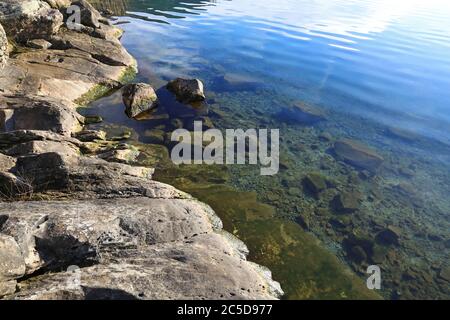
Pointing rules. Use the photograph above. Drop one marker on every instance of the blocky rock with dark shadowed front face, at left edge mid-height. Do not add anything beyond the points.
(38, 113)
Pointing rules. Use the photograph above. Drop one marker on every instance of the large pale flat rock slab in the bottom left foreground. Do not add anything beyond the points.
(137, 248)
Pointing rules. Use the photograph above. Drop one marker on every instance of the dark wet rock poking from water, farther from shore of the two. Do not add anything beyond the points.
(187, 91)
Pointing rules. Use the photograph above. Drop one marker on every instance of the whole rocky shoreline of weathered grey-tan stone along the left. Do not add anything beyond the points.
(73, 225)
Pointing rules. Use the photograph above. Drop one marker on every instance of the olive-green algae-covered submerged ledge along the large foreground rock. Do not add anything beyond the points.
(297, 260)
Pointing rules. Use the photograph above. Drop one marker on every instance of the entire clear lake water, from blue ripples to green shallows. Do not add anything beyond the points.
(377, 72)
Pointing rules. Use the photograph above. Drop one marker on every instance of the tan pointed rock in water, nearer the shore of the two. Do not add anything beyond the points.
(139, 98)
